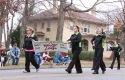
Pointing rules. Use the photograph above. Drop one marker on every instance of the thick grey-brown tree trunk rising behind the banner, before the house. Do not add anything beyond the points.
(61, 19)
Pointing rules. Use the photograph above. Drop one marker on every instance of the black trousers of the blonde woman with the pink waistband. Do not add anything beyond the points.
(29, 57)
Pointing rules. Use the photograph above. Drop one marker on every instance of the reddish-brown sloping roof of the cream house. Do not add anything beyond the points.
(48, 14)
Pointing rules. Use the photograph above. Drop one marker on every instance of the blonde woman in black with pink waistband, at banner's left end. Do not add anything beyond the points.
(29, 51)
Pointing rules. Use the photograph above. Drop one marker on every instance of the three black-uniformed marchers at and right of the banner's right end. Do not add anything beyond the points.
(98, 46)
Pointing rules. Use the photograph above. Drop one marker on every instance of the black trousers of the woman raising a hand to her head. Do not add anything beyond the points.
(99, 60)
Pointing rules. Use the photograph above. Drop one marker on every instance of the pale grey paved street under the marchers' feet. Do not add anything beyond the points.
(60, 74)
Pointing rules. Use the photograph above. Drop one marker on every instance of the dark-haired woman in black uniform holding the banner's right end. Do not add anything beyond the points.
(75, 41)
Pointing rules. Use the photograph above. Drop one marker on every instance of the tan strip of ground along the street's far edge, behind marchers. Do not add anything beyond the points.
(85, 64)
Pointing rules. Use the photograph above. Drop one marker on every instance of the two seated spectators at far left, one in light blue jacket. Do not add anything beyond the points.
(14, 54)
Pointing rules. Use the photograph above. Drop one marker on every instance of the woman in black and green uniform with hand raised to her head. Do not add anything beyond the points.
(99, 48)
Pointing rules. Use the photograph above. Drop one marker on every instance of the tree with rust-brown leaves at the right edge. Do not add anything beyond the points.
(117, 18)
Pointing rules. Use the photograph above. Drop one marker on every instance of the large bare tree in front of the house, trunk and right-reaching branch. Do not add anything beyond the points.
(63, 8)
